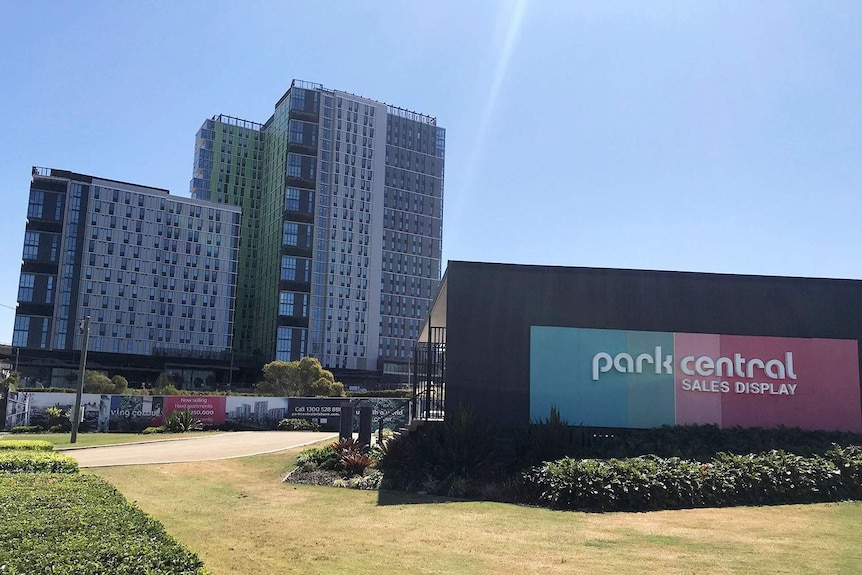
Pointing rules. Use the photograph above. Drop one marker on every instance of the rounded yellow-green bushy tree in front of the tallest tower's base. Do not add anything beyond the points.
(303, 378)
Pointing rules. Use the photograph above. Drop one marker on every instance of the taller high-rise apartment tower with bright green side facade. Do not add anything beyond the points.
(341, 244)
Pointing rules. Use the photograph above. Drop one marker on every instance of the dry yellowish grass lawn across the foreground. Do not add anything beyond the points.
(241, 520)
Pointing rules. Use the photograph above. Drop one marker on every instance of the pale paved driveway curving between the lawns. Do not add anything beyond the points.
(220, 446)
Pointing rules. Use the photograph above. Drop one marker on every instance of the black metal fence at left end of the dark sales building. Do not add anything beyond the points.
(429, 376)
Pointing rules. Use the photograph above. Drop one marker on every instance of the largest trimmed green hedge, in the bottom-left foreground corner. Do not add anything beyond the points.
(81, 525)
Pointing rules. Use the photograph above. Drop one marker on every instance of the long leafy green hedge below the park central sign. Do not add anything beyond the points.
(652, 483)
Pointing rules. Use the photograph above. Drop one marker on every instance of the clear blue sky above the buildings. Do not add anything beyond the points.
(701, 136)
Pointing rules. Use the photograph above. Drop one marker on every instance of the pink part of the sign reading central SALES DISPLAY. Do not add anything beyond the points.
(767, 381)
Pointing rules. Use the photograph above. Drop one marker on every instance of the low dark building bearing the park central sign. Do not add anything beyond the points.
(635, 348)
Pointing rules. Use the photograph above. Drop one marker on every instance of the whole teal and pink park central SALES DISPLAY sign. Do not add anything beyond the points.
(639, 379)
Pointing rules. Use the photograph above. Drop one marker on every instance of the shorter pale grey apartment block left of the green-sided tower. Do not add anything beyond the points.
(156, 274)
